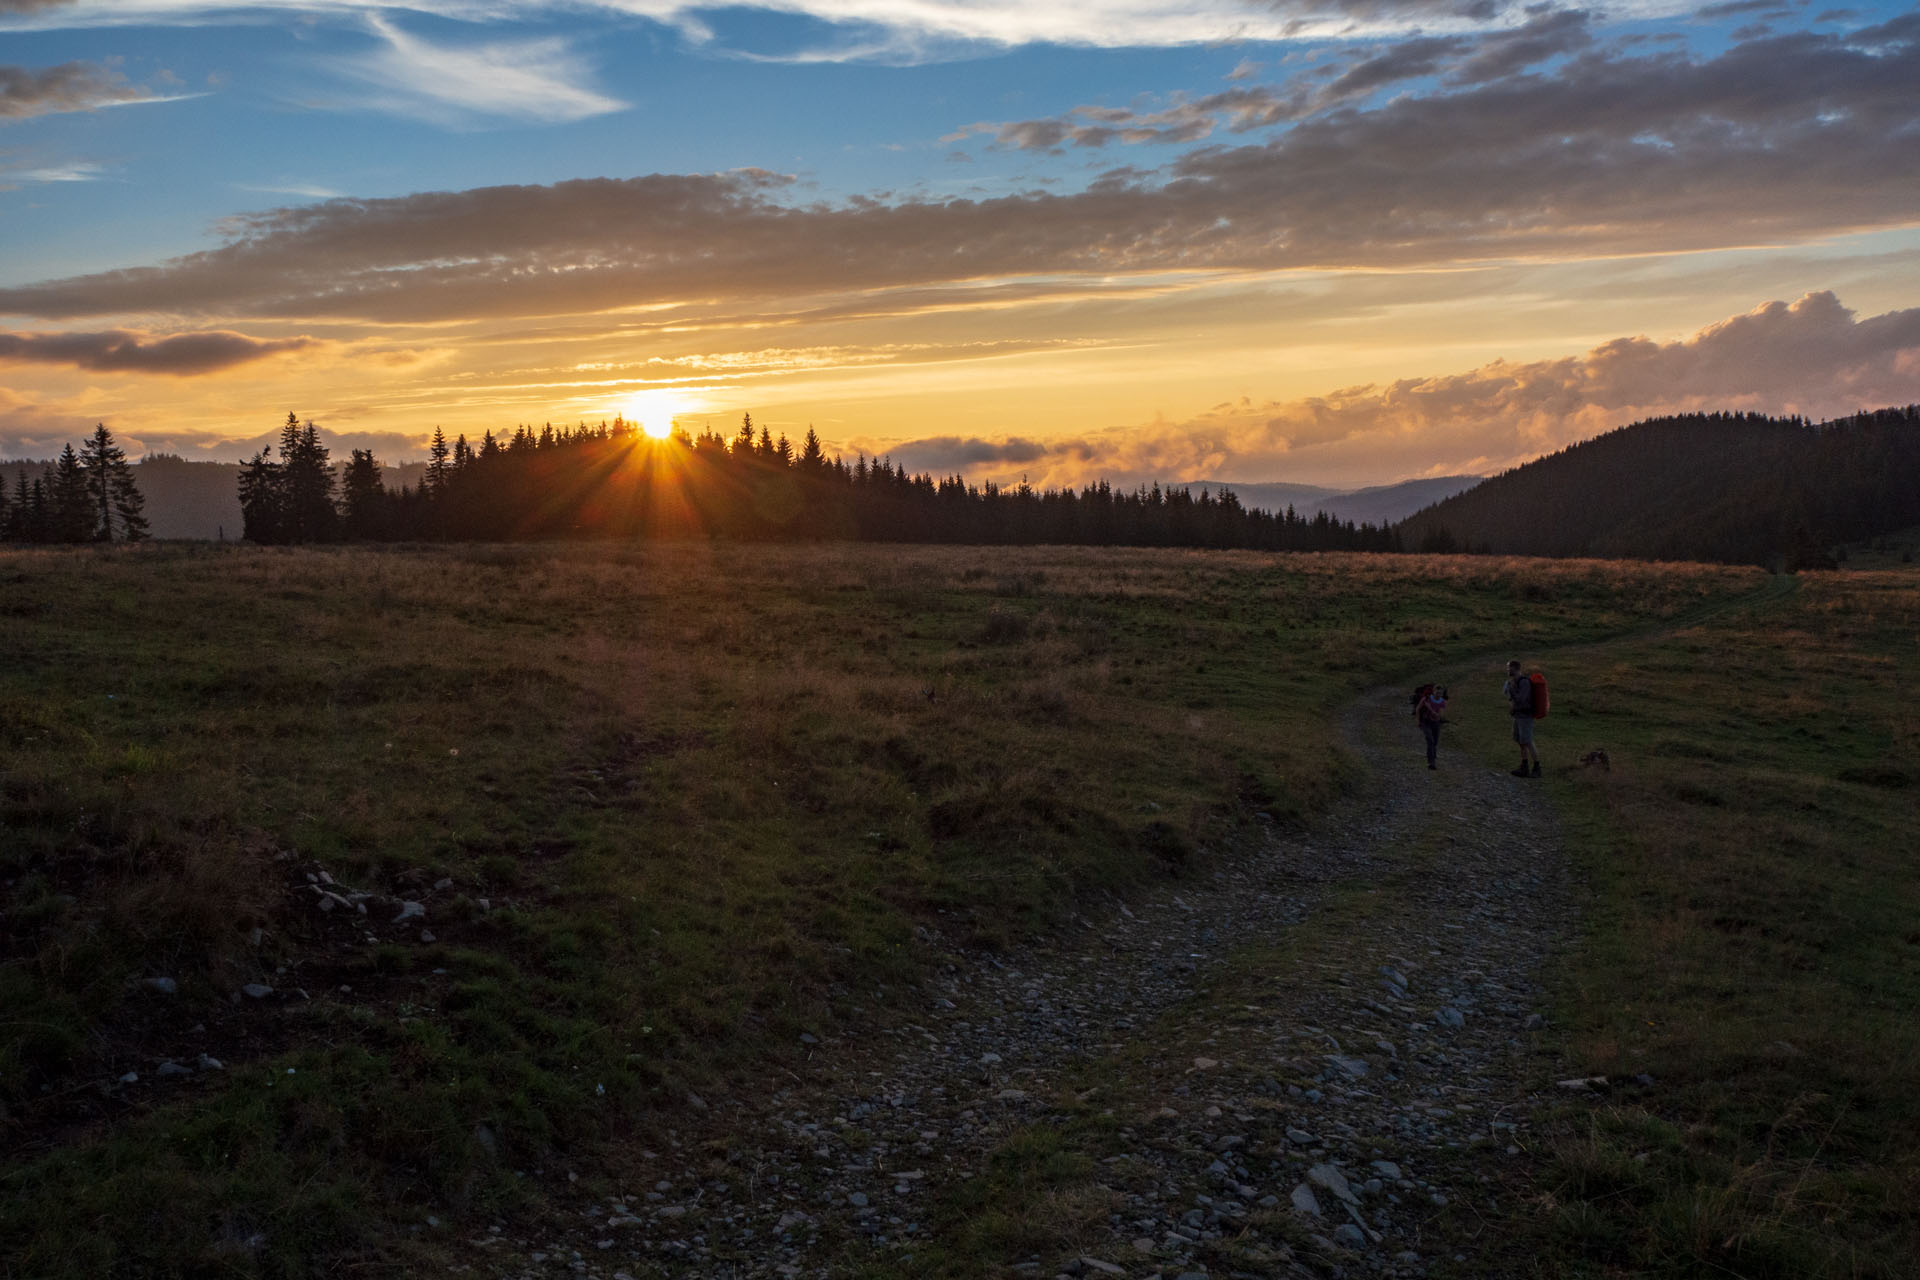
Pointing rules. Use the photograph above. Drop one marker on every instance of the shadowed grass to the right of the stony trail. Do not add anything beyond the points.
(1754, 945)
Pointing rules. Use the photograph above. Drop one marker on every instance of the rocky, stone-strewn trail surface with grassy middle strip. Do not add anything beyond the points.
(1312, 1060)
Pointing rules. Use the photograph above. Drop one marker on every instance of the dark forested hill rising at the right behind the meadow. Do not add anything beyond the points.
(1717, 486)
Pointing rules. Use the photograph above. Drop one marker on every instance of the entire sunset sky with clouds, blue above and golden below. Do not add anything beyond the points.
(1332, 243)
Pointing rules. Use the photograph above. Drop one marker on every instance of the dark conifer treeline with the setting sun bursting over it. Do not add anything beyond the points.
(612, 481)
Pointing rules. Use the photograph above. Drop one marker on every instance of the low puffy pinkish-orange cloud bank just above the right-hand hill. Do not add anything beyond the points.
(1810, 358)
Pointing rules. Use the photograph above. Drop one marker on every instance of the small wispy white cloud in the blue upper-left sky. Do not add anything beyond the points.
(539, 82)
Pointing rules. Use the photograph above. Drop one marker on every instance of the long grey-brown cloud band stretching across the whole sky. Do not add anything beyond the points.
(1777, 141)
